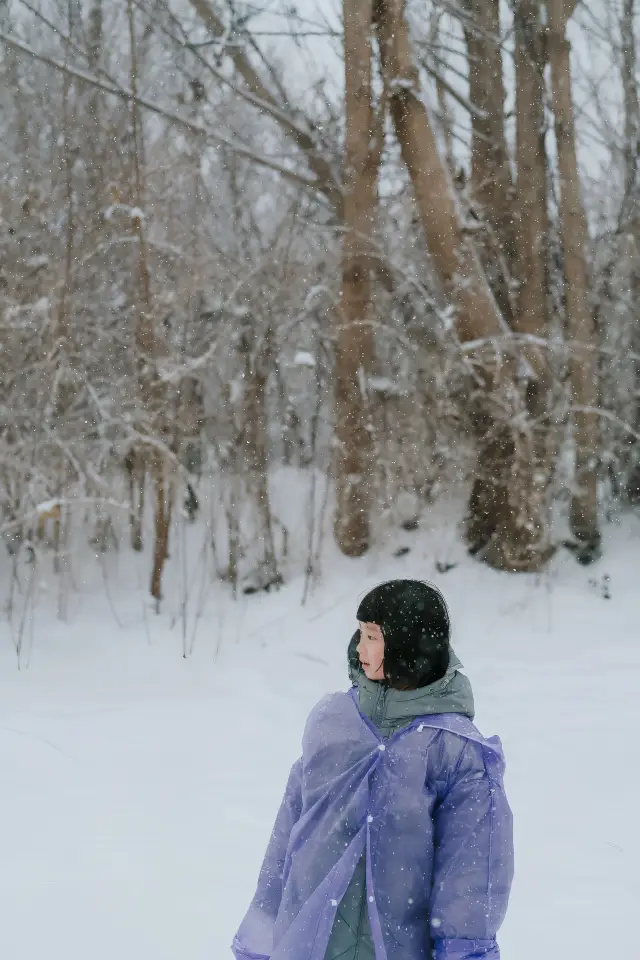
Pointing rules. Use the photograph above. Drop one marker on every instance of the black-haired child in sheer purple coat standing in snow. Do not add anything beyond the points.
(394, 837)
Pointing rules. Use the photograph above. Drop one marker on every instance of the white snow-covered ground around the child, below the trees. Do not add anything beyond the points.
(138, 788)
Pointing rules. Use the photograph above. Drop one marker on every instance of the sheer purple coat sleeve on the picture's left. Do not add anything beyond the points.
(254, 939)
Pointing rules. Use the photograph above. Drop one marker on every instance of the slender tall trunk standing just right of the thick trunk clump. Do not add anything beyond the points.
(580, 320)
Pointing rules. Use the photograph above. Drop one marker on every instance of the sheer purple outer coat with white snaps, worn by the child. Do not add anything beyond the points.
(426, 807)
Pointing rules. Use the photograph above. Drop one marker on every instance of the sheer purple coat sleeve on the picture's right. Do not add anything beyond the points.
(473, 863)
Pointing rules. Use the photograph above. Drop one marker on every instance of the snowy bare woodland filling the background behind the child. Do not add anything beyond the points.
(387, 251)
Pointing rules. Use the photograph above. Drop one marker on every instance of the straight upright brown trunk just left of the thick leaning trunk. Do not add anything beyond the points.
(354, 335)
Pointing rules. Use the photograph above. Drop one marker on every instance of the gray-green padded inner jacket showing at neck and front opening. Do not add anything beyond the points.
(390, 711)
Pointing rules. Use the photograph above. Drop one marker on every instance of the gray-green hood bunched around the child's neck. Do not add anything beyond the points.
(451, 694)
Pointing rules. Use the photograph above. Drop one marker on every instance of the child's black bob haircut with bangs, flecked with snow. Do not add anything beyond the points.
(414, 620)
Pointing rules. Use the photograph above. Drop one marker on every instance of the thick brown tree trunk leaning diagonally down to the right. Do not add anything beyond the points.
(508, 510)
